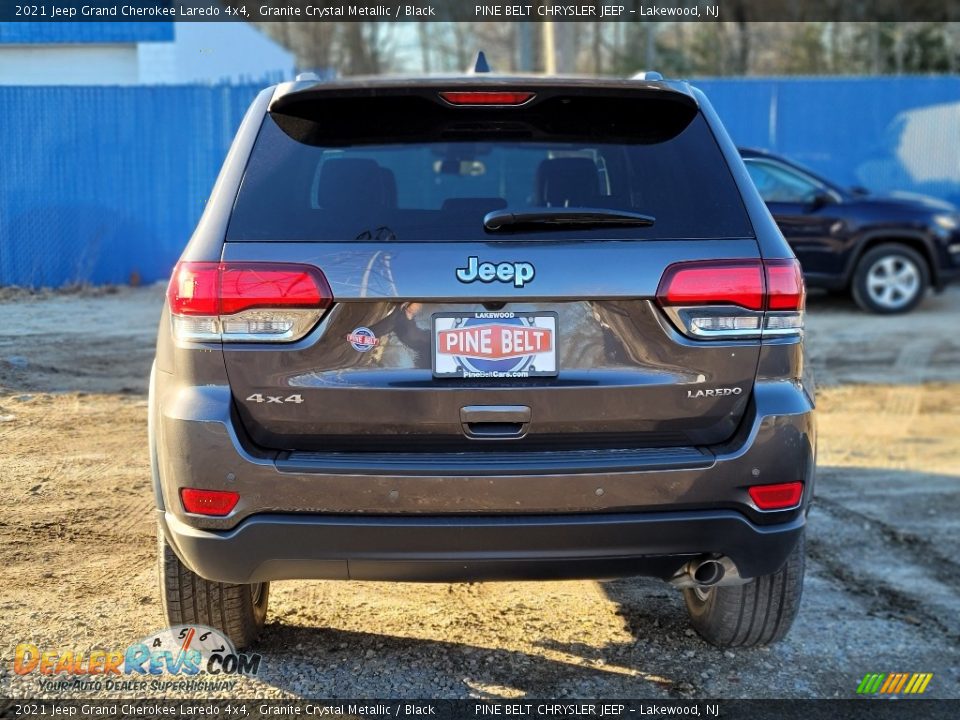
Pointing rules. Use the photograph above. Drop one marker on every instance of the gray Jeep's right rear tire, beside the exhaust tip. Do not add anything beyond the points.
(759, 612)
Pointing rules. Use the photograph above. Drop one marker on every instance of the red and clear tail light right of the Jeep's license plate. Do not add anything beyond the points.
(734, 298)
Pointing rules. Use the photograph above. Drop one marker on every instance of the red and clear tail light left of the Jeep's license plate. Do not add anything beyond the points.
(246, 302)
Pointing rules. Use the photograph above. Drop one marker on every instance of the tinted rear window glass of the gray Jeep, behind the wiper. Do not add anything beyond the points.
(299, 186)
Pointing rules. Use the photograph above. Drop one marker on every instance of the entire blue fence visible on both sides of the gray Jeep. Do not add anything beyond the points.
(105, 184)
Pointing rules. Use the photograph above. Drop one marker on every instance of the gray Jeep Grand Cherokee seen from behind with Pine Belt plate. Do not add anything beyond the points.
(484, 328)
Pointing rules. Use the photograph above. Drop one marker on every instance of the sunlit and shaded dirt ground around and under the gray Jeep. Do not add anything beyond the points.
(77, 538)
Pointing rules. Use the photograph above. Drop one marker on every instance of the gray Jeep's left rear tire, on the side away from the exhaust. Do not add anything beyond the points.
(237, 611)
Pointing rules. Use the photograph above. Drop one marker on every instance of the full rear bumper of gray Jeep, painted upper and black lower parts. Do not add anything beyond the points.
(562, 516)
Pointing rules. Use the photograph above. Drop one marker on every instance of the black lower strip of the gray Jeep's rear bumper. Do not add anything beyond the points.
(452, 549)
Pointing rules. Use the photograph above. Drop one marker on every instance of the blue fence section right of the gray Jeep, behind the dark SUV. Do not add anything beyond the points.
(882, 133)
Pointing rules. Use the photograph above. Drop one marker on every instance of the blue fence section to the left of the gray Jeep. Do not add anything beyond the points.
(105, 184)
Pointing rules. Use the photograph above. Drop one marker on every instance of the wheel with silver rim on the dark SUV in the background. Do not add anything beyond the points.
(890, 278)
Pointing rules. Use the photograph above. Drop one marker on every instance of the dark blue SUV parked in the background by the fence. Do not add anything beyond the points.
(886, 250)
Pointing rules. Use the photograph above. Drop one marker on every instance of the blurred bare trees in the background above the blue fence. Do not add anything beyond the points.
(738, 47)
